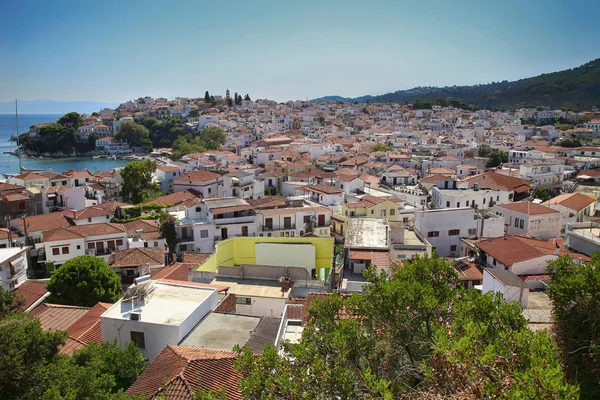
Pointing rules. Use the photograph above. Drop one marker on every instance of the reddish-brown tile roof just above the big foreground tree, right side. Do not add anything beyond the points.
(509, 249)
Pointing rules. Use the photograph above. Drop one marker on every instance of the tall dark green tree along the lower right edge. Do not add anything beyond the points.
(574, 293)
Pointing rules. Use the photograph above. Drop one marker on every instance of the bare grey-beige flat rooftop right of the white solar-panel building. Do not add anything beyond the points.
(220, 331)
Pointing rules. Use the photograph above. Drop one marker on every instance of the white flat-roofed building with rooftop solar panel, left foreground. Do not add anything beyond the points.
(154, 314)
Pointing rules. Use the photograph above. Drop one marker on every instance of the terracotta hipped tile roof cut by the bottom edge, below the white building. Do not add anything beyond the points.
(177, 372)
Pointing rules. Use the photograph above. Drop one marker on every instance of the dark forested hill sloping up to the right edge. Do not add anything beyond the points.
(574, 88)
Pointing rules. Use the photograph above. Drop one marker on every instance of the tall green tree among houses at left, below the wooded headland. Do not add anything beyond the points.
(137, 185)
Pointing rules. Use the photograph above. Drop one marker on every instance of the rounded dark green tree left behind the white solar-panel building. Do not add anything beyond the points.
(84, 281)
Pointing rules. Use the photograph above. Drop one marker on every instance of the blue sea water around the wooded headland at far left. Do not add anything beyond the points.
(9, 164)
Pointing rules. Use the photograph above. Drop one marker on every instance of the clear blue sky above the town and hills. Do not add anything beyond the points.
(113, 51)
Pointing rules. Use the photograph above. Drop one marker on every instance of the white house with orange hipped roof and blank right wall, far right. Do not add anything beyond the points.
(526, 218)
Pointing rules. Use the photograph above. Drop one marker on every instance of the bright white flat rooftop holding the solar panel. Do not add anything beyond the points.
(167, 304)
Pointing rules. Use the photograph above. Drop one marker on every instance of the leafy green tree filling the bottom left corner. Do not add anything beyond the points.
(25, 352)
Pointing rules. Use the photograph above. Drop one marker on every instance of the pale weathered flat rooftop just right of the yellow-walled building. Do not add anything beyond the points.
(367, 233)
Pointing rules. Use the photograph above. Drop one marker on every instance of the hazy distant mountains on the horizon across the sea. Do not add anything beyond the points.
(53, 107)
